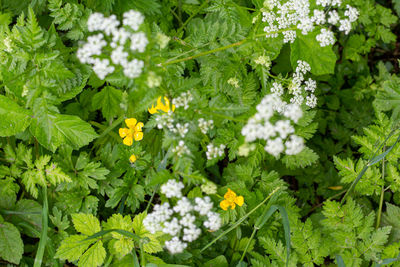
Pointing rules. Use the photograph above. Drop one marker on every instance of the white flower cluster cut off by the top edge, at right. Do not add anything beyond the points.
(297, 14)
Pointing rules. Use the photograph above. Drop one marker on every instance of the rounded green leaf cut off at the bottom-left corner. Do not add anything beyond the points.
(11, 245)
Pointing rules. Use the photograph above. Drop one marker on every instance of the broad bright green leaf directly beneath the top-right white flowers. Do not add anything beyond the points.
(322, 60)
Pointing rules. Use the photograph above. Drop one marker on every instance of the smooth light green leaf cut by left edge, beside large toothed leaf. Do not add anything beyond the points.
(14, 119)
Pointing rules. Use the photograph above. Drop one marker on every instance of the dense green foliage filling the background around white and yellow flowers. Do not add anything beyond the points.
(71, 193)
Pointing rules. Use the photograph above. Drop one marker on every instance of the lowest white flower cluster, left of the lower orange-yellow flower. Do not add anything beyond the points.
(180, 221)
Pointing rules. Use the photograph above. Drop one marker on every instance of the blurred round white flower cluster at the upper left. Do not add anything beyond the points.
(118, 38)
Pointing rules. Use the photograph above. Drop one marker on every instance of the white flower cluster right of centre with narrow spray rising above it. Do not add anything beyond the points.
(280, 136)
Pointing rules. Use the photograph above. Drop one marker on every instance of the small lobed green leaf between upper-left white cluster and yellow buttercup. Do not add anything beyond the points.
(108, 99)
